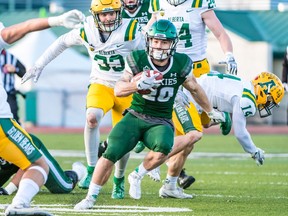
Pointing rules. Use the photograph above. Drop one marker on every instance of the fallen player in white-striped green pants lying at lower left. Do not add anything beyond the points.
(58, 181)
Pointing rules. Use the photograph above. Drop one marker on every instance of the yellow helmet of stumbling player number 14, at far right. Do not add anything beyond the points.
(269, 92)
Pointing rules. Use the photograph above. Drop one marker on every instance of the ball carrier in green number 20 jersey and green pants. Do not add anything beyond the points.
(149, 116)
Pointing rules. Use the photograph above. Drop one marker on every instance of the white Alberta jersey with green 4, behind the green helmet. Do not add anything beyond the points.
(187, 18)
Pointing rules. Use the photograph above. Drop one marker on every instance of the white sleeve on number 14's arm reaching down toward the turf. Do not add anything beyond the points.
(240, 130)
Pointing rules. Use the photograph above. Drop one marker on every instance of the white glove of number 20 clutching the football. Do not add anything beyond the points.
(146, 82)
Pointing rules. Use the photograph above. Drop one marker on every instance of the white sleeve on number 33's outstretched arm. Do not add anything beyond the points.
(67, 40)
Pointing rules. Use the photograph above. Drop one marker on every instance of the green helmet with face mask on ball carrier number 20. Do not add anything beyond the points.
(162, 30)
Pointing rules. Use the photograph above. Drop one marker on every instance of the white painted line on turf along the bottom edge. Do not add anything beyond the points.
(104, 209)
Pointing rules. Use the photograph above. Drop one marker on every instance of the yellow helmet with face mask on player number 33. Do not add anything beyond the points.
(111, 7)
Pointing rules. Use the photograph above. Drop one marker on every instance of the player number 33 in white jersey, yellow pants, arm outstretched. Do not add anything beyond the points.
(108, 39)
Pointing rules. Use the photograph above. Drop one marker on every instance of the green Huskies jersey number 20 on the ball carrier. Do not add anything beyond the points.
(159, 103)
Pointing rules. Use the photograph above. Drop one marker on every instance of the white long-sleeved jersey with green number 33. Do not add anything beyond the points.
(107, 57)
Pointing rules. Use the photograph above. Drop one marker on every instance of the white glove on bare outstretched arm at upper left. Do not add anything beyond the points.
(70, 19)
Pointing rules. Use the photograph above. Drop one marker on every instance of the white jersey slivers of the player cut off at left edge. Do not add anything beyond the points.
(5, 111)
